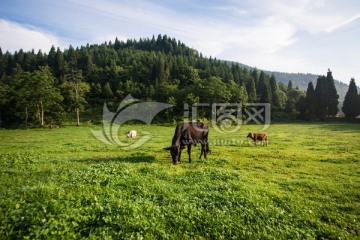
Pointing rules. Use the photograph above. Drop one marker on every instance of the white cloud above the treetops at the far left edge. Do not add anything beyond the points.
(14, 37)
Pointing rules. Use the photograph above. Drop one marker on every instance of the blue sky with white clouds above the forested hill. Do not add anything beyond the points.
(307, 36)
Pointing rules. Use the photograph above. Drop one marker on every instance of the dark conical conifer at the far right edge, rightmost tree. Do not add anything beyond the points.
(351, 106)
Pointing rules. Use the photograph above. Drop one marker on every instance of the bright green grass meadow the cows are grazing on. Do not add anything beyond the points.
(65, 184)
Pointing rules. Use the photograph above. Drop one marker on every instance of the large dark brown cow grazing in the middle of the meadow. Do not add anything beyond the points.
(187, 134)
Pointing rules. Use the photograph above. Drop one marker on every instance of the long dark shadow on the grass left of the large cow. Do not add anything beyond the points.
(133, 158)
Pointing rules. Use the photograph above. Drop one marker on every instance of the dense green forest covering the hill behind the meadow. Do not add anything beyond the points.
(59, 86)
